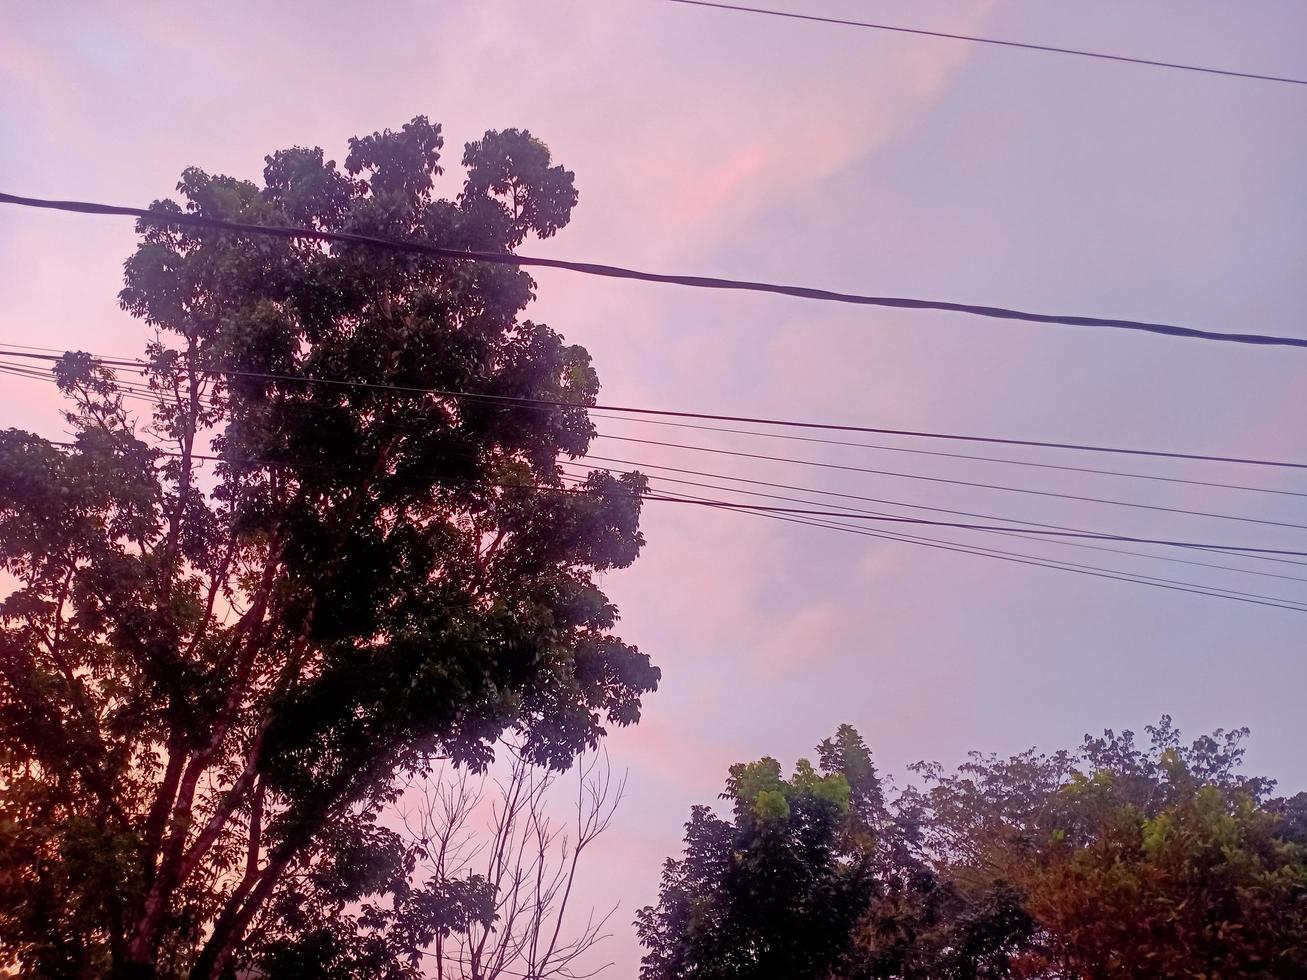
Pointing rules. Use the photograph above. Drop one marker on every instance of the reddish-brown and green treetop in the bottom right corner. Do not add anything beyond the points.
(1157, 862)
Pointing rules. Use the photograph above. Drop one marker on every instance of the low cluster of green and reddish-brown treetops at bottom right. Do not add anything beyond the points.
(1112, 860)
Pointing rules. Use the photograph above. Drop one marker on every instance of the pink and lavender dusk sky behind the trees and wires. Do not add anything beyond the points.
(773, 150)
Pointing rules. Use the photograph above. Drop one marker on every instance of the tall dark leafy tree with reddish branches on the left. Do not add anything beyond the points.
(337, 548)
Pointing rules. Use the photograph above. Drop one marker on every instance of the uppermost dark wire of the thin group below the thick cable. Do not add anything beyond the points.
(671, 414)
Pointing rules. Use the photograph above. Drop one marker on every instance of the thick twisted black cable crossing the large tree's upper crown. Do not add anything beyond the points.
(189, 220)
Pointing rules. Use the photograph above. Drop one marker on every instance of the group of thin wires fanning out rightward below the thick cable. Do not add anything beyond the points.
(1224, 551)
